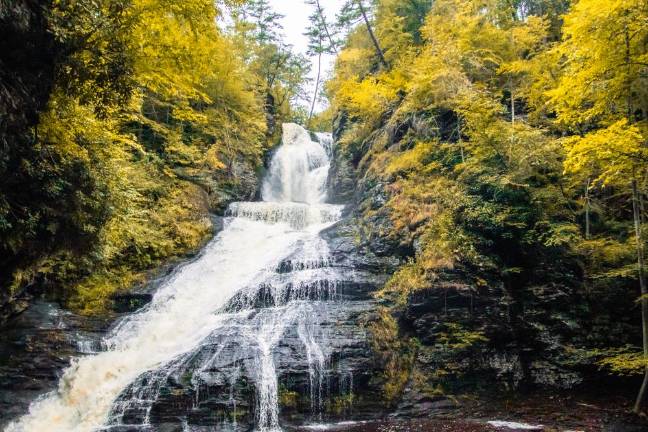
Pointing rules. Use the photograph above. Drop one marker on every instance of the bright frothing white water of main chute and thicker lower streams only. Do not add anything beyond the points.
(187, 308)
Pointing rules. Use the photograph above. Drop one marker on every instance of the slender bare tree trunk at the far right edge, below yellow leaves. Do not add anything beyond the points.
(644, 292)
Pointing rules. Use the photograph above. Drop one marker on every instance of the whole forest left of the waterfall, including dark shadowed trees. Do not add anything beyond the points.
(148, 114)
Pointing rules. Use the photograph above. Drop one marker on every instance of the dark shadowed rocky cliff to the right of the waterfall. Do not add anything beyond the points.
(473, 331)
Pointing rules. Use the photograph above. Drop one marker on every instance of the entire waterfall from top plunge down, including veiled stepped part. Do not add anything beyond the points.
(228, 309)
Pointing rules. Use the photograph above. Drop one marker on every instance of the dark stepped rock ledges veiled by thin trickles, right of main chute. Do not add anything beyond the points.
(324, 364)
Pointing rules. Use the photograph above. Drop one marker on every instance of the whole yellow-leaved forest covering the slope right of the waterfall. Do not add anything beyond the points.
(512, 138)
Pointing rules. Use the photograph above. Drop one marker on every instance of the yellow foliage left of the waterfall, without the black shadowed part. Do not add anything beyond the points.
(193, 108)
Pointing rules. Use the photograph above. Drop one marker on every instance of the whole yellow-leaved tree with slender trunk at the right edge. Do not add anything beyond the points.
(602, 95)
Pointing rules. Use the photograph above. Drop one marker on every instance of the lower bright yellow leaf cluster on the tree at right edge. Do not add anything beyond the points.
(613, 154)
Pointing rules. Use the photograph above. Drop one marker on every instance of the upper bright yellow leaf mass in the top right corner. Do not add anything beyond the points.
(603, 61)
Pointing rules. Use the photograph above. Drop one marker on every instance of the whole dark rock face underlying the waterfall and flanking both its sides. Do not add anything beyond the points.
(335, 363)
